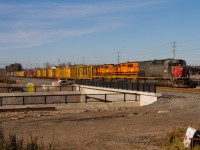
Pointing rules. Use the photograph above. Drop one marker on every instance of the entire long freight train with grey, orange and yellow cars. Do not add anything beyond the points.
(165, 72)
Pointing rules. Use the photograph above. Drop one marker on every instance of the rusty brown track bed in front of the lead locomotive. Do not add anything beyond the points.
(184, 90)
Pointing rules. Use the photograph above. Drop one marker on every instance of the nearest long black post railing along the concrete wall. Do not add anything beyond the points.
(66, 98)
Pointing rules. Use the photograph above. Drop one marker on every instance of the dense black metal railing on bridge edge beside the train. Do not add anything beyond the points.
(133, 86)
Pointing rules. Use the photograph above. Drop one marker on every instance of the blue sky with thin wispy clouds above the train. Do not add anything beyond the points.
(35, 32)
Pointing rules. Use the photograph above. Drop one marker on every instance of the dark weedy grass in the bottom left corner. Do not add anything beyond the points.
(14, 143)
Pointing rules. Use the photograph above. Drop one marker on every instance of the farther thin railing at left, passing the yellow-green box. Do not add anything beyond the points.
(37, 89)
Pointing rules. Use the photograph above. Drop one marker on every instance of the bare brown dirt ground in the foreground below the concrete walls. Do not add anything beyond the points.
(98, 129)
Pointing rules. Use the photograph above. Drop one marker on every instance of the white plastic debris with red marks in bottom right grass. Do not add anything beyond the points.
(189, 134)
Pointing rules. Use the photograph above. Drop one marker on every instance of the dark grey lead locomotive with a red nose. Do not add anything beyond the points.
(166, 72)
